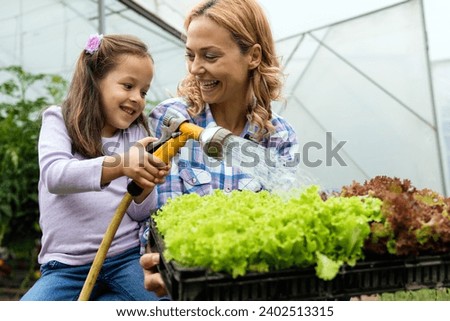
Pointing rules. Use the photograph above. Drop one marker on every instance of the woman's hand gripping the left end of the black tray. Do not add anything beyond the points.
(152, 279)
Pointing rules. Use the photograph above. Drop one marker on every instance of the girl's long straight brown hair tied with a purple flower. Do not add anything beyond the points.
(81, 109)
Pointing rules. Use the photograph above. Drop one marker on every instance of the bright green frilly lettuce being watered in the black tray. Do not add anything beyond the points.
(243, 231)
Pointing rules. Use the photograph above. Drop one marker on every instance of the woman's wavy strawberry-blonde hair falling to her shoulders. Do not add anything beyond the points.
(248, 25)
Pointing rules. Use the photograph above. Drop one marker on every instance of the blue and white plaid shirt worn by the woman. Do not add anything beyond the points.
(194, 172)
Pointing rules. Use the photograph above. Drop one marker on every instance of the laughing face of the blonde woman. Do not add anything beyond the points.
(217, 63)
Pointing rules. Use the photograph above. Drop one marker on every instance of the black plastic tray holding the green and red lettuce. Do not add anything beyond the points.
(376, 274)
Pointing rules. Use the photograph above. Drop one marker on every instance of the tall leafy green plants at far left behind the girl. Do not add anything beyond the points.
(19, 130)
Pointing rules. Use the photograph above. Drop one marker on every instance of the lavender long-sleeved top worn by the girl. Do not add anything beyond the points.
(75, 210)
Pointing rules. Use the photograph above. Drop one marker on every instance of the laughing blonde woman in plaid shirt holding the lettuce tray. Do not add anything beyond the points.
(234, 75)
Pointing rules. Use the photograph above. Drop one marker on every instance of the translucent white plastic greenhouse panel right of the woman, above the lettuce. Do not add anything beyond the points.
(365, 82)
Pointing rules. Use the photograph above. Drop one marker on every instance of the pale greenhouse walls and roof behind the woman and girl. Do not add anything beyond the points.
(367, 81)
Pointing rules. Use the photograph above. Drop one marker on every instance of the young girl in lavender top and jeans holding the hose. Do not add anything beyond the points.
(90, 148)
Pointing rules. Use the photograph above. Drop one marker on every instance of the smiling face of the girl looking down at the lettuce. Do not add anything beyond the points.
(123, 92)
